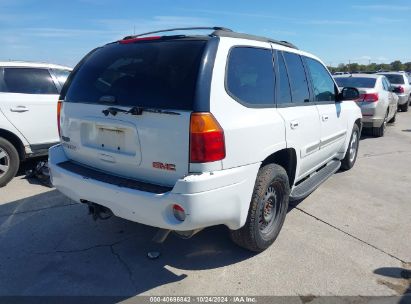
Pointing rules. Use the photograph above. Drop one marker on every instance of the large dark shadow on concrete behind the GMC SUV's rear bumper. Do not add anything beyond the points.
(49, 246)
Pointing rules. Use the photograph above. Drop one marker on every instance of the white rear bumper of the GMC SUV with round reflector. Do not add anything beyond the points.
(220, 197)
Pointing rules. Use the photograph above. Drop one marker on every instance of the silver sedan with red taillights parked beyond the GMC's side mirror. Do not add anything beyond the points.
(377, 100)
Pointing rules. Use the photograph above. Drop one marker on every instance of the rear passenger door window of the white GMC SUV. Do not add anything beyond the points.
(298, 79)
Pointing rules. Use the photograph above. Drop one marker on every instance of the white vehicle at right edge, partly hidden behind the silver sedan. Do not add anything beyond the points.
(403, 88)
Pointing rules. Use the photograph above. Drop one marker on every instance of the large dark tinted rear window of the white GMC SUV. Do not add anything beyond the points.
(161, 74)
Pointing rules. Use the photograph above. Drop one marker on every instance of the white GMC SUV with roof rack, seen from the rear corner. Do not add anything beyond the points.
(185, 132)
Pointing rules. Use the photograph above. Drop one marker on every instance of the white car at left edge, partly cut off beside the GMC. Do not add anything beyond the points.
(28, 108)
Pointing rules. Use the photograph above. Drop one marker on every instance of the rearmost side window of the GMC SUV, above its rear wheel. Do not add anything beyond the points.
(250, 76)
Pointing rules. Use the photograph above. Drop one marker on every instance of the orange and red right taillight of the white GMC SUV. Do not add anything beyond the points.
(207, 142)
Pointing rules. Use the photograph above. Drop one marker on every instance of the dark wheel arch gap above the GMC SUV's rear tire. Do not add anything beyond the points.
(287, 158)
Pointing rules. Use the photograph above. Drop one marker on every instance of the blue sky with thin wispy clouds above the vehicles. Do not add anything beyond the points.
(63, 32)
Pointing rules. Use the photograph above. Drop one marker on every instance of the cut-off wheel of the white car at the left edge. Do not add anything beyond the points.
(9, 161)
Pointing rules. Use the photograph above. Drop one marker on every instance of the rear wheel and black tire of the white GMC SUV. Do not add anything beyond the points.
(267, 212)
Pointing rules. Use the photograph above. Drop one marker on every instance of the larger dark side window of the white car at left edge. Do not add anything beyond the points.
(28, 81)
